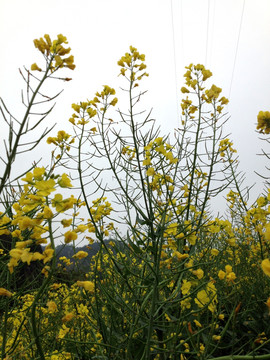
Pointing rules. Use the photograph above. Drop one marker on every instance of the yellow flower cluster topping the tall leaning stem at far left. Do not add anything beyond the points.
(54, 52)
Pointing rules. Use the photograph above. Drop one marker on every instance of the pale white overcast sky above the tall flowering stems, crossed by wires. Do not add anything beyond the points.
(171, 34)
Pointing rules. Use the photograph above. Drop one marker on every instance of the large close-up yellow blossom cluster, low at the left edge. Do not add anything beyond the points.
(32, 212)
